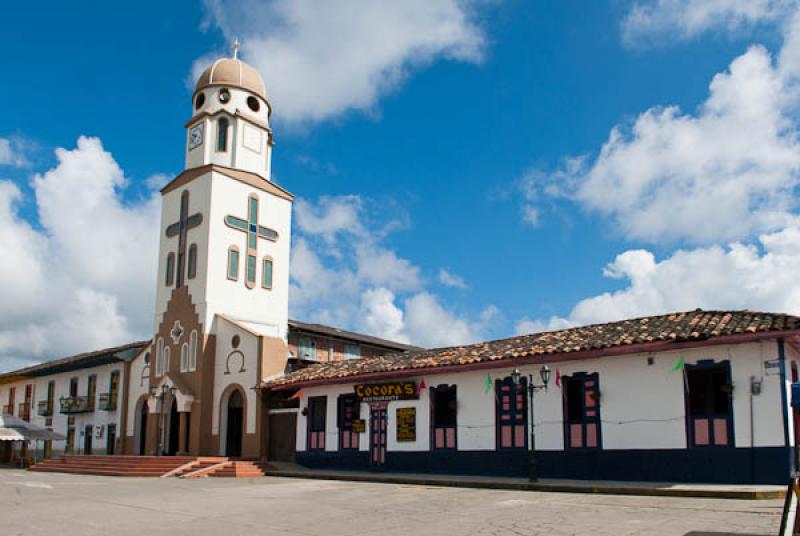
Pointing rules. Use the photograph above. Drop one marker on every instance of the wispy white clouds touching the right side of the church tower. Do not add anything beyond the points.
(343, 275)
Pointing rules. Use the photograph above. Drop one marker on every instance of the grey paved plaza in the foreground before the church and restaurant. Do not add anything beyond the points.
(50, 503)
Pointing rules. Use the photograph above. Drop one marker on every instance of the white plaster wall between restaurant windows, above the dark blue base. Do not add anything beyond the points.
(642, 406)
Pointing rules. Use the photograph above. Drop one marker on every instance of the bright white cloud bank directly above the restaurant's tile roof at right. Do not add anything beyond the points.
(758, 277)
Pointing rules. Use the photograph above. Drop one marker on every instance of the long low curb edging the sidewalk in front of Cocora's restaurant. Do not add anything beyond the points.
(539, 486)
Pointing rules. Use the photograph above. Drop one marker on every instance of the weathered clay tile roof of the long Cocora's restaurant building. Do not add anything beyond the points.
(689, 326)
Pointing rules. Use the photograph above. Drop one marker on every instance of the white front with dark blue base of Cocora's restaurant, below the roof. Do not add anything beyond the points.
(647, 427)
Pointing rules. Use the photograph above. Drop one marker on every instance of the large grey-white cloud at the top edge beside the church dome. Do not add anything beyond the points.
(320, 59)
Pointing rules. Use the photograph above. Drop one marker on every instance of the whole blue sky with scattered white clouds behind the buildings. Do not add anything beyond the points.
(467, 137)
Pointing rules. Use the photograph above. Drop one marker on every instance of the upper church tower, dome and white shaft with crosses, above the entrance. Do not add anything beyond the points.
(226, 227)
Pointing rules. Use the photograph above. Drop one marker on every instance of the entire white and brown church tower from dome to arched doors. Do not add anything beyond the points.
(221, 316)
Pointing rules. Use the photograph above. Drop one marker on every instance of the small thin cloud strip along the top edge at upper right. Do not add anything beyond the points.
(650, 19)
